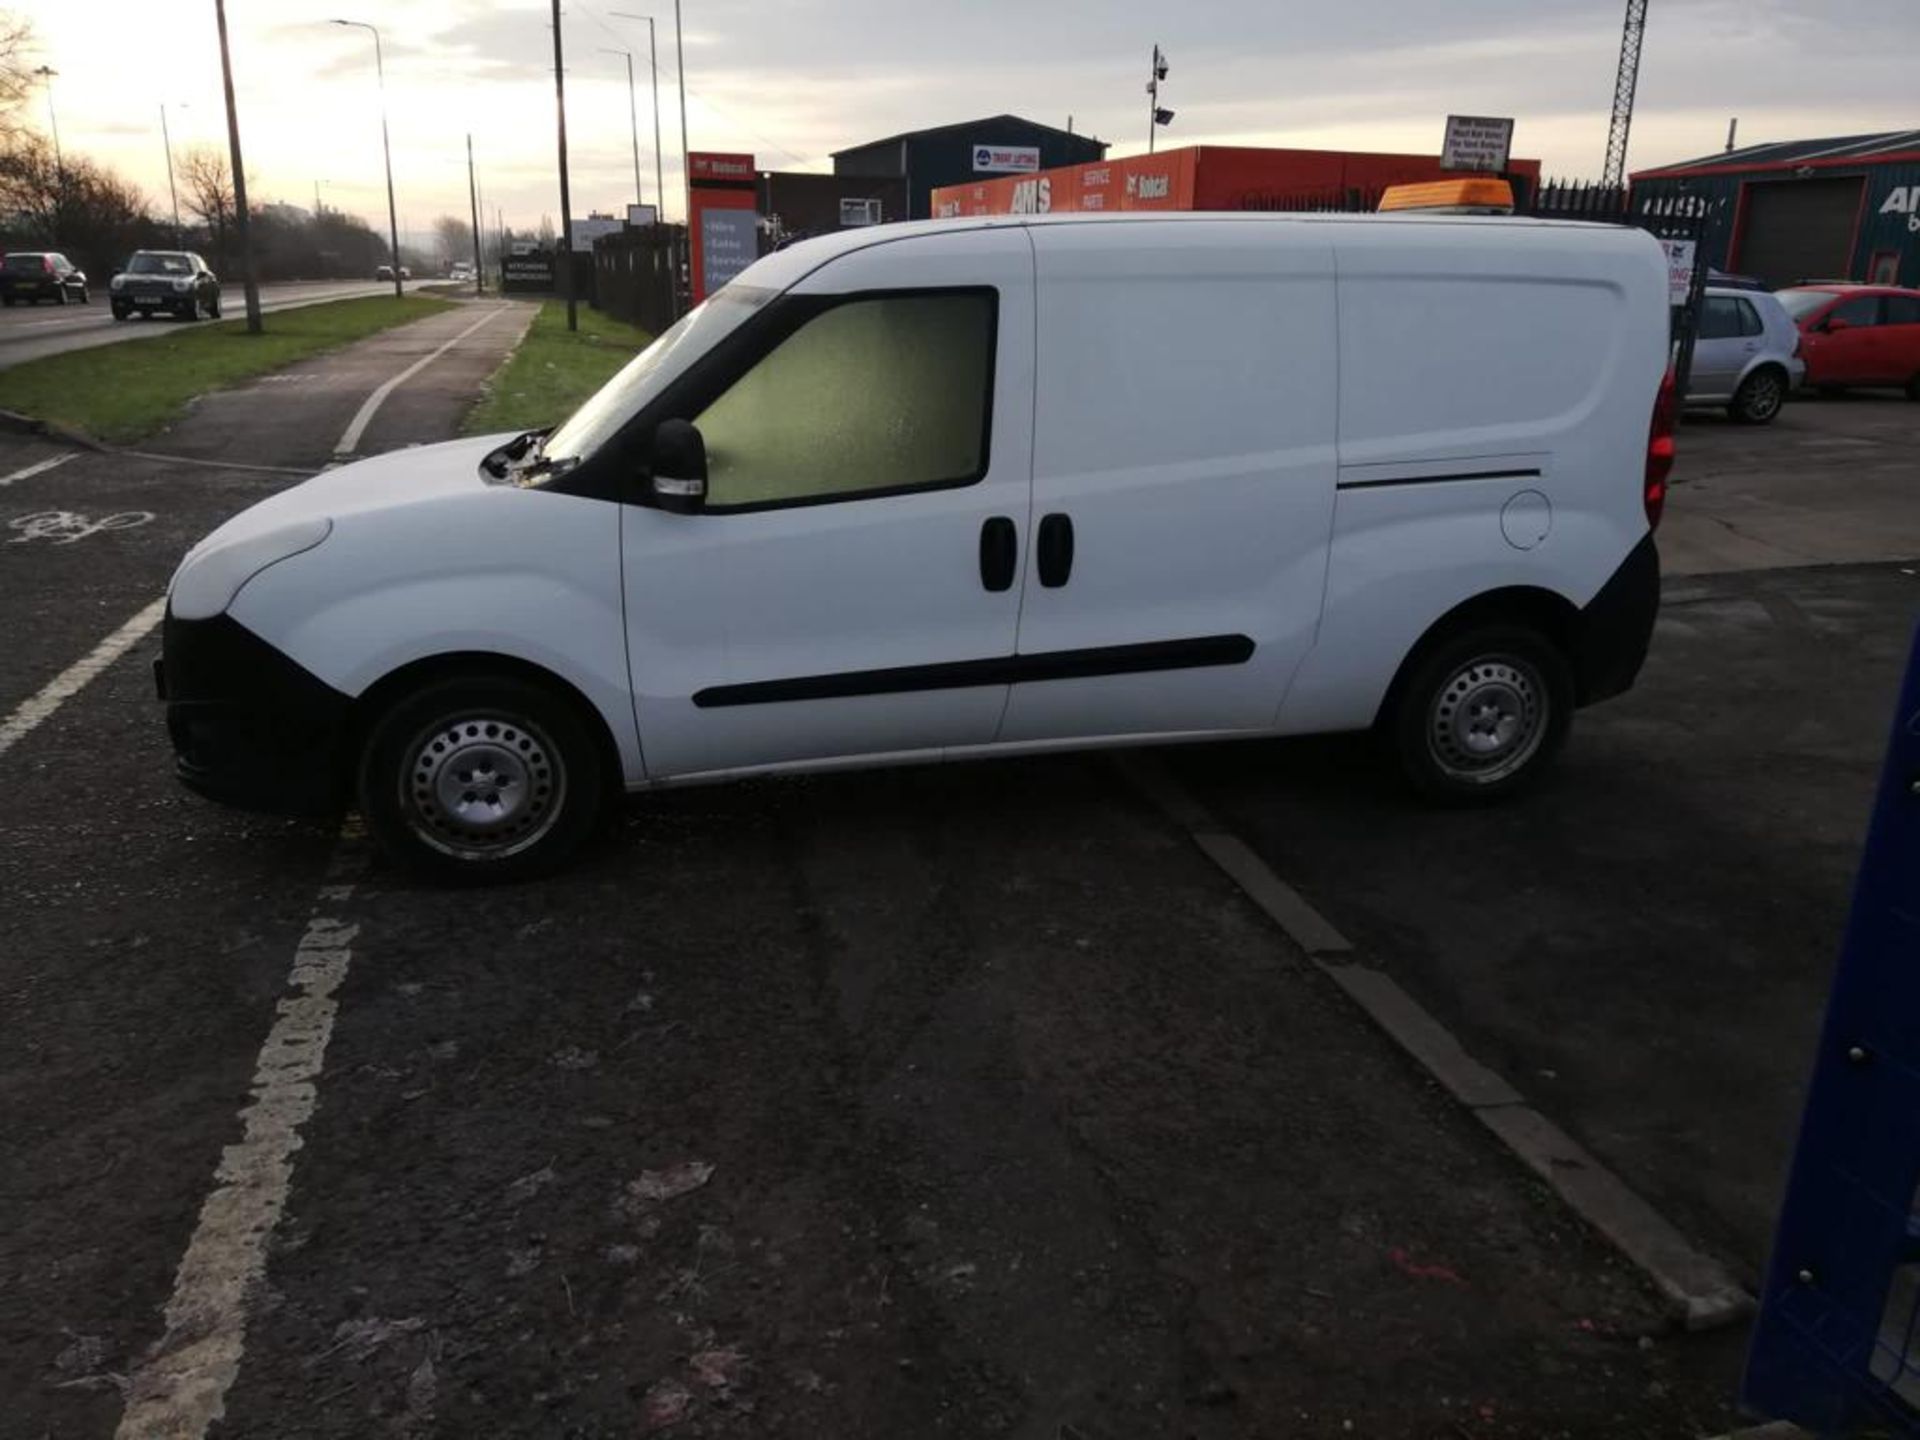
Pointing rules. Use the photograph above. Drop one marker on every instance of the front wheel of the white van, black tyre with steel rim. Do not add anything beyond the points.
(481, 780)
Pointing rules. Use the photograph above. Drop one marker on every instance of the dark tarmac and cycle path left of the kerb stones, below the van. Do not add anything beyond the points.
(949, 1101)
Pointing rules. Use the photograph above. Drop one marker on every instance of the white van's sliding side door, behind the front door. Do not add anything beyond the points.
(1184, 475)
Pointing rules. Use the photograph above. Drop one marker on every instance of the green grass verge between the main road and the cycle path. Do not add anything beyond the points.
(124, 393)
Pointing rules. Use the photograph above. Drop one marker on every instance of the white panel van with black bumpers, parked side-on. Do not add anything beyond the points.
(974, 489)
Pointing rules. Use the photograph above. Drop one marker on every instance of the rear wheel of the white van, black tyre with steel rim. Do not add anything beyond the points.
(1479, 715)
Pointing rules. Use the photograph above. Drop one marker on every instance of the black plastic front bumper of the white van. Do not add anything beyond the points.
(249, 727)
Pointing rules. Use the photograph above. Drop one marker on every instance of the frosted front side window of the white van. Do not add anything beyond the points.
(880, 395)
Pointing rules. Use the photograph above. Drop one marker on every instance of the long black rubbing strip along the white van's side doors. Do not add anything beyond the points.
(1009, 671)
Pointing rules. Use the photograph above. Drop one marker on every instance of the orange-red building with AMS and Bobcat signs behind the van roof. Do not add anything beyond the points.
(1205, 178)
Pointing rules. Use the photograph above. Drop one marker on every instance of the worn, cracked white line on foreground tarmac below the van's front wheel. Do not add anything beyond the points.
(181, 1385)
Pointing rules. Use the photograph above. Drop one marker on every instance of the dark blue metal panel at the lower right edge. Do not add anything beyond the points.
(1838, 1339)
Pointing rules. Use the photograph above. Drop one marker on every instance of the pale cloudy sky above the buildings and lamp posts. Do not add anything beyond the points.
(796, 80)
